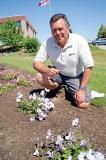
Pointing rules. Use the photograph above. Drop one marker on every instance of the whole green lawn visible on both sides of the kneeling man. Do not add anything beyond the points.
(98, 79)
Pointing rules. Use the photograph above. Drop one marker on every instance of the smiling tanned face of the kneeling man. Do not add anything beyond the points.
(60, 32)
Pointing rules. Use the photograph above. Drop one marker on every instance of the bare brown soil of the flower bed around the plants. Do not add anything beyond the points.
(18, 134)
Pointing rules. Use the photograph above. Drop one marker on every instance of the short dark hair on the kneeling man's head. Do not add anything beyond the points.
(58, 16)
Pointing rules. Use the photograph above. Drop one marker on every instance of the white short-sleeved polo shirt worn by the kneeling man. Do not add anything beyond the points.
(70, 60)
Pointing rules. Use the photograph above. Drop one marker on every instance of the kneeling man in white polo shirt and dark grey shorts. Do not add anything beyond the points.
(72, 59)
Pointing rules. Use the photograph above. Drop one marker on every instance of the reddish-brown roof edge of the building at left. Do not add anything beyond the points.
(17, 18)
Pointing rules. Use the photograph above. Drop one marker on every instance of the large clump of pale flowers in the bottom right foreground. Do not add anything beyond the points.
(70, 146)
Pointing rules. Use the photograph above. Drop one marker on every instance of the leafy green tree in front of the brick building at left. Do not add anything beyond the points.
(10, 34)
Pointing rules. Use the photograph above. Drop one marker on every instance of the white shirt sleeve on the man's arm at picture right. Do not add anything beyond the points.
(85, 53)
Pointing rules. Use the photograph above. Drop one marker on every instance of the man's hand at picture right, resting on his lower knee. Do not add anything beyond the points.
(80, 96)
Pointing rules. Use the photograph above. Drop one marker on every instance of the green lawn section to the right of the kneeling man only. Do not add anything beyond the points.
(98, 79)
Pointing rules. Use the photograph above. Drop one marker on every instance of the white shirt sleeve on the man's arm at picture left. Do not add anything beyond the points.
(42, 53)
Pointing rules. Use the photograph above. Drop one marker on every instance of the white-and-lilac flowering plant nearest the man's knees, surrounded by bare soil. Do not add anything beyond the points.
(37, 105)
